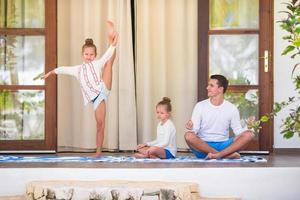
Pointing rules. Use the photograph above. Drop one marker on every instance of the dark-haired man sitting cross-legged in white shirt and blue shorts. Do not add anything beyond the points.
(208, 129)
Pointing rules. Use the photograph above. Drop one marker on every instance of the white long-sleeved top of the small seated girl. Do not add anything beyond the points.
(165, 137)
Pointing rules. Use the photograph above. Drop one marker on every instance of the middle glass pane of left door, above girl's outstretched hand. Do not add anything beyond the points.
(21, 59)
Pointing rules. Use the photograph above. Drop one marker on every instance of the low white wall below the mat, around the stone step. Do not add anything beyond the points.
(246, 183)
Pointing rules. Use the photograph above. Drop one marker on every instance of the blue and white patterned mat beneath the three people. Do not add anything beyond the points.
(118, 159)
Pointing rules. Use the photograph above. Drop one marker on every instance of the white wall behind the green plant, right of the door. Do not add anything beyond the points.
(283, 86)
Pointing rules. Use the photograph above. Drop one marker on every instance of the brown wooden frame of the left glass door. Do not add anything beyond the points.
(50, 33)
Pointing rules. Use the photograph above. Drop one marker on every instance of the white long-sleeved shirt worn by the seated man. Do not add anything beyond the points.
(211, 123)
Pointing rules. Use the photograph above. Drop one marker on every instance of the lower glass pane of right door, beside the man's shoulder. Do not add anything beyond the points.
(247, 103)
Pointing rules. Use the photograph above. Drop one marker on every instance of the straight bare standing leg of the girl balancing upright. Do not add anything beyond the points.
(100, 121)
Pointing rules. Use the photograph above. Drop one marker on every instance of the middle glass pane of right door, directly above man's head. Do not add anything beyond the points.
(236, 57)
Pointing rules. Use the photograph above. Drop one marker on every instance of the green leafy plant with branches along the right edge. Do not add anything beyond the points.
(291, 124)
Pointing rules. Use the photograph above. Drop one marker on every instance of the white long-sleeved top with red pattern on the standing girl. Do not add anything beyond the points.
(89, 75)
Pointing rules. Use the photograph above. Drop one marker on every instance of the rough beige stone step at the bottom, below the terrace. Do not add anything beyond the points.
(112, 189)
